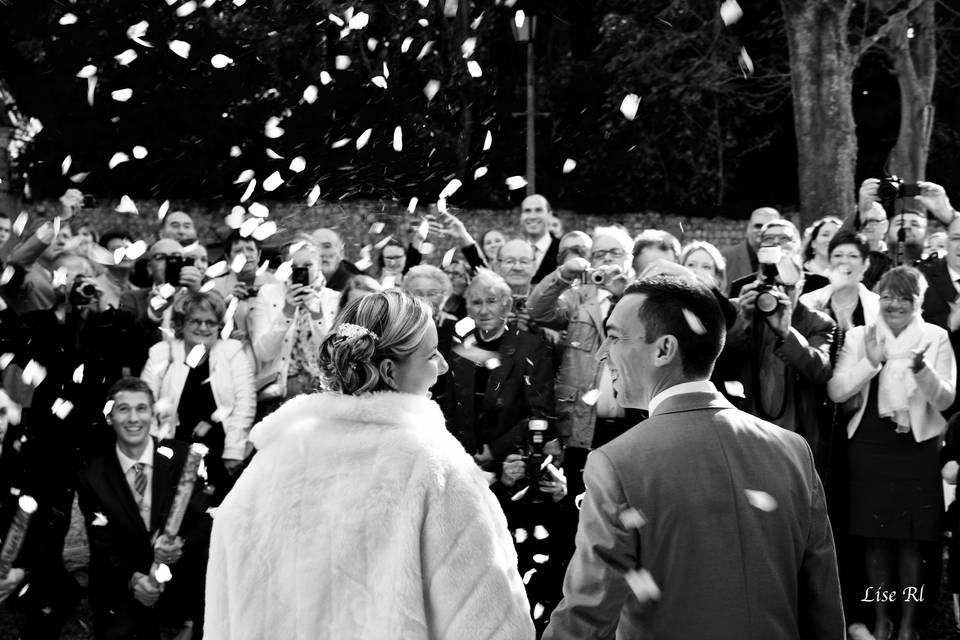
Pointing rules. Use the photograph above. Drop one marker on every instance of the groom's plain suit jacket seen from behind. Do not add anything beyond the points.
(735, 536)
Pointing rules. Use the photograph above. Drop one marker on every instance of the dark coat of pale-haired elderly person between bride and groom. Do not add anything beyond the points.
(520, 388)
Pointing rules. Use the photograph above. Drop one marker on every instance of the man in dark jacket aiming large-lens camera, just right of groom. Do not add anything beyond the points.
(781, 347)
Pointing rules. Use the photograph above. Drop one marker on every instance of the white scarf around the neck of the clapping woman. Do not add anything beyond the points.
(897, 384)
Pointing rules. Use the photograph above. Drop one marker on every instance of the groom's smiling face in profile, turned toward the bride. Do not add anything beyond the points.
(627, 353)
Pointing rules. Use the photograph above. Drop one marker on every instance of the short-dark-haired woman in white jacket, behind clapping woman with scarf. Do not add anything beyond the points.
(845, 299)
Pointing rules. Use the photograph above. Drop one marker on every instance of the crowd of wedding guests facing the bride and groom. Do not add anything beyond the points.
(121, 351)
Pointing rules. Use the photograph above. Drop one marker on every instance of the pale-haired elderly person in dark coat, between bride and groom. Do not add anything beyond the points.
(500, 376)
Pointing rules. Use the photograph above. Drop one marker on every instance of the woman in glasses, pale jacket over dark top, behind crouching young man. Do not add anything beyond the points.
(204, 386)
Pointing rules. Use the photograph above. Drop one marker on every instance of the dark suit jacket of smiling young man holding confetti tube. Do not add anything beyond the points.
(123, 546)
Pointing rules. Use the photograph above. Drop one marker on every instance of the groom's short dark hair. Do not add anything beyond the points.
(686, 309)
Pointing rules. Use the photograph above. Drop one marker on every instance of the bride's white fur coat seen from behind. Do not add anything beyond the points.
(362, 518)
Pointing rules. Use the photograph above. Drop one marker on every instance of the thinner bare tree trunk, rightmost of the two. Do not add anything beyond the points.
(912, 48)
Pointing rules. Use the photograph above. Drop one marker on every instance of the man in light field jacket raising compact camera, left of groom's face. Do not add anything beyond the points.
(587, 413)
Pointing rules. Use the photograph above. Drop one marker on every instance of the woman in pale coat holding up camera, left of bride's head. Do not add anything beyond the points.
(288, 322)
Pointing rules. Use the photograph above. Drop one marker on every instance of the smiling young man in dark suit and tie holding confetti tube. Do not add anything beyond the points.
(126, 495)
